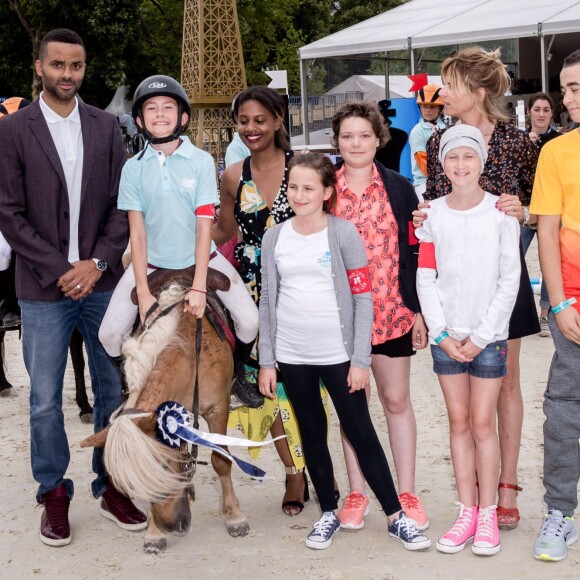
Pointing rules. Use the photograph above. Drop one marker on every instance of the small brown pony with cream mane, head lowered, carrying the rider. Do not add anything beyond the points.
(160, 366)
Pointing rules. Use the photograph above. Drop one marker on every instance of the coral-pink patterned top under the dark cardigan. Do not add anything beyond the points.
(373, 217)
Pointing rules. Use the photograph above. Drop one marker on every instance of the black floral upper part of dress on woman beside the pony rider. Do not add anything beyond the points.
(254, 217)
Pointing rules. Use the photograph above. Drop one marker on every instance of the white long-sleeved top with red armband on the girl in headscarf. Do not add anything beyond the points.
(471, 287)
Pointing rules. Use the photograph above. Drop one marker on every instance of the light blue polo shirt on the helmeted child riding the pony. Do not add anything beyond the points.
(168, 190)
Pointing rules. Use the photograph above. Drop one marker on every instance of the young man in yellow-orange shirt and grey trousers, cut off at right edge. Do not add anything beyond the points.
(556, 201)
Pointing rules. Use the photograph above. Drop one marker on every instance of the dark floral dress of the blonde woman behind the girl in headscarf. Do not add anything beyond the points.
(510, 168)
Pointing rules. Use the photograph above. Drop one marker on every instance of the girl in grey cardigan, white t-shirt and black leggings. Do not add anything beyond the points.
(315, 324)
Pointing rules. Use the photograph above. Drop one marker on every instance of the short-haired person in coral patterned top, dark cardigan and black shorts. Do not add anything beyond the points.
(380, 202)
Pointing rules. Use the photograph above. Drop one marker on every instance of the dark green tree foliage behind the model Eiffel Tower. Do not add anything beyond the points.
(128, 40)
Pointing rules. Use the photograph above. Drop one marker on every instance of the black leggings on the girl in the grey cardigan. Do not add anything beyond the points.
(302, 387)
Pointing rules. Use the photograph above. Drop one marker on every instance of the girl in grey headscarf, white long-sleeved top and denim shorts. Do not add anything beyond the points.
(467, 281)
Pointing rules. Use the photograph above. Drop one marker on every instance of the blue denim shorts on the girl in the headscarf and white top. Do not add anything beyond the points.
(488, 364)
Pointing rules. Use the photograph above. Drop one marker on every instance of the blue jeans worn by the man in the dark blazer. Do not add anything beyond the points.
(46, 332)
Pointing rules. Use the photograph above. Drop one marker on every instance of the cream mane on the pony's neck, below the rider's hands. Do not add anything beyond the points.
(141, 352)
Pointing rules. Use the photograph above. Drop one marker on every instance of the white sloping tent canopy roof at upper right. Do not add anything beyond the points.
(425, 23)
